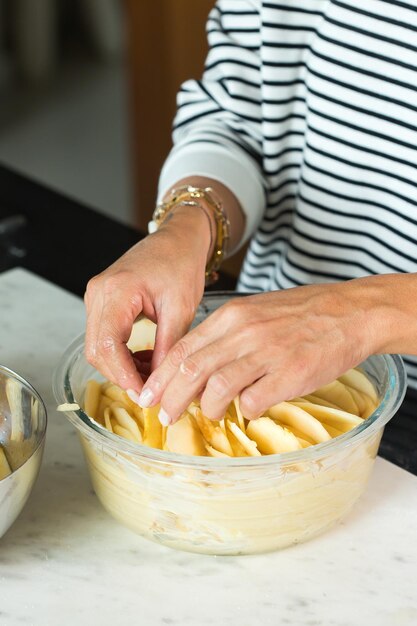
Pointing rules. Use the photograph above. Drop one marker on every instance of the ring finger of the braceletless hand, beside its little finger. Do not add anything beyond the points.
(227, 382)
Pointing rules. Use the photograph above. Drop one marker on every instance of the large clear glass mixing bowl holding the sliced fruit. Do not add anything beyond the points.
(229, 506)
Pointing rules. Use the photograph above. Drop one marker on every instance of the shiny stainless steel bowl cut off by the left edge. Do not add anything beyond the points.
(22, 437)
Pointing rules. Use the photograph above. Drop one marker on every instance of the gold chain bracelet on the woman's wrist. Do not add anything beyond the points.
(188, 195)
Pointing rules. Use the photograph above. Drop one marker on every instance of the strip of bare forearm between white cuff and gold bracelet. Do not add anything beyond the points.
(230, 204)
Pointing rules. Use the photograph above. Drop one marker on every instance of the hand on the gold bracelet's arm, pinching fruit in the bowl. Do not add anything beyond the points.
(162, 277)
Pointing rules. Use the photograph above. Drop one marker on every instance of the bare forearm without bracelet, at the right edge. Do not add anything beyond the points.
(389, 304)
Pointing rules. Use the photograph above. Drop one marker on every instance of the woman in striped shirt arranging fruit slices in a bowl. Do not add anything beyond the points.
(304, 129)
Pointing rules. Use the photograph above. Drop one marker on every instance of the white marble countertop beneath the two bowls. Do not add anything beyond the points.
(66, 561)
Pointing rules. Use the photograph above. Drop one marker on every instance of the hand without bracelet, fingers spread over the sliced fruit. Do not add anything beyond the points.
(268, 348)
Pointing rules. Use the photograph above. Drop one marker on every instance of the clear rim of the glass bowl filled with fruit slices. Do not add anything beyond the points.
(389, 405)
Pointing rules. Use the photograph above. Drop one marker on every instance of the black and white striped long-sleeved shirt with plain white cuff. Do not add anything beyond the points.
(307, 111)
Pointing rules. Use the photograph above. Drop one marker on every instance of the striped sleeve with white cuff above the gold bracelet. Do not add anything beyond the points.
(217, 129)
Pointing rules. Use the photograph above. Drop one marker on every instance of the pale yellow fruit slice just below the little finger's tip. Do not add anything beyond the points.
(270, 437)
